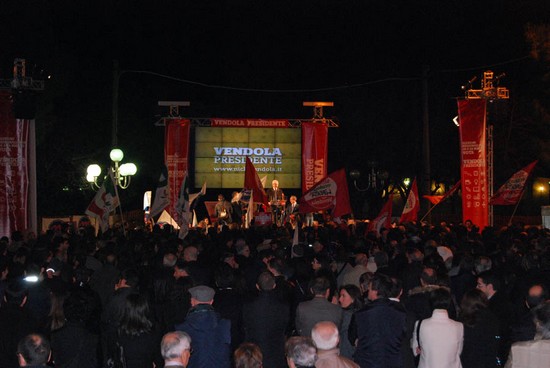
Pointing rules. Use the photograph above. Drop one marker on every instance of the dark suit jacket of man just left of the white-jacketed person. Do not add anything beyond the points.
(379, 328)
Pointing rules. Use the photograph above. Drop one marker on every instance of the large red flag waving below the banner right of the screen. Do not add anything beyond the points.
(331, 192)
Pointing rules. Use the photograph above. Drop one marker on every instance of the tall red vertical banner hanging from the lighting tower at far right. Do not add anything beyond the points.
(473, 163)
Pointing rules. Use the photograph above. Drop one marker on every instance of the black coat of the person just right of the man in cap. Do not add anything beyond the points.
(265, 321)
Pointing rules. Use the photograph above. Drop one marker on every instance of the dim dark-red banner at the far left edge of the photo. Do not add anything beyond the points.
(14, 181)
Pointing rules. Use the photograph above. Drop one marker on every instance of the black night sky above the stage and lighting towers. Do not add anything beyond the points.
(261, 59)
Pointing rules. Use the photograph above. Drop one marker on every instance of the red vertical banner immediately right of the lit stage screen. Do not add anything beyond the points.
(314, 153)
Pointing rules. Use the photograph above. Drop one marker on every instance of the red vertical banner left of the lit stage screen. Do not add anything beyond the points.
(176, 156)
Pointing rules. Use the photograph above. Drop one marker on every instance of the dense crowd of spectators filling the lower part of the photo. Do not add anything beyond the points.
(415, 295)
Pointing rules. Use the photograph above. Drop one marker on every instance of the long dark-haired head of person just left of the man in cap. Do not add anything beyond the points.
(134, 320)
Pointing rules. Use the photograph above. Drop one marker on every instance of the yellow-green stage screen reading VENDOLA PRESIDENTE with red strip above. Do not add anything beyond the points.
(274, 147)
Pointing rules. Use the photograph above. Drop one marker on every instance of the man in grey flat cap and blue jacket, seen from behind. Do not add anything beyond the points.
(210, 334)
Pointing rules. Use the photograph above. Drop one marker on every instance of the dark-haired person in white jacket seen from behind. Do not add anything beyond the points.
(438, 339)
